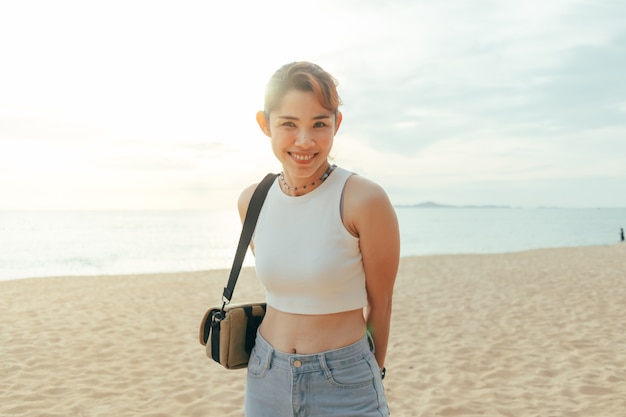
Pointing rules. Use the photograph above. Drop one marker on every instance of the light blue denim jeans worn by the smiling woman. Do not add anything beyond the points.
(342, 382)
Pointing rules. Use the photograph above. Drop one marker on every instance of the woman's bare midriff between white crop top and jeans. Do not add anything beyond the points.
(307, 334)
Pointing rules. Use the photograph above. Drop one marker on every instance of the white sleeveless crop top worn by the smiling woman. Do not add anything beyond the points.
(306, 259)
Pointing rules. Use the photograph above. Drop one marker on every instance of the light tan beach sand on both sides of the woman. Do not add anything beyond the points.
(536, 333)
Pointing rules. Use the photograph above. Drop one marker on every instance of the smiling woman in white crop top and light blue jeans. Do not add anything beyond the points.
(326, 249)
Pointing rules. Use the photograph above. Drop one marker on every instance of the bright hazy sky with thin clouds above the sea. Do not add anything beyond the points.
(128, 105)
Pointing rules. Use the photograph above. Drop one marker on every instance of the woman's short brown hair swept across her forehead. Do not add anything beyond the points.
(302, 76)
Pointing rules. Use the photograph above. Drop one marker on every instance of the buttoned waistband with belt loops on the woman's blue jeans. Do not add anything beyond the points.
(315, 361)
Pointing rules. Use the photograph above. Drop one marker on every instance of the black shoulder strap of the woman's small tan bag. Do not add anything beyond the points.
(252, 215)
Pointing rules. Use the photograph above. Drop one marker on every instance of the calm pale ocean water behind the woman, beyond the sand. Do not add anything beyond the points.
(63, 243)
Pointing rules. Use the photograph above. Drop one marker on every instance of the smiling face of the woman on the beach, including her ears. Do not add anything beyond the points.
(301, 133)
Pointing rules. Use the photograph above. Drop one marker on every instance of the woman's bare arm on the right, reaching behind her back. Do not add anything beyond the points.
(368, 214)
